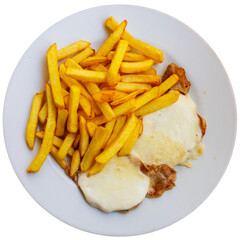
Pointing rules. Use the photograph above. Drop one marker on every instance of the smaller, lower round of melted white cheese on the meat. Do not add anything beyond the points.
(119, 186)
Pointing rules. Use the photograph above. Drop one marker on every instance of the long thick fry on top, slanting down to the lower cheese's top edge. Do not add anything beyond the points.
(119, 141)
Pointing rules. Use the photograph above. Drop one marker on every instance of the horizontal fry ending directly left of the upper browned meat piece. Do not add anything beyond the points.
(154, 80)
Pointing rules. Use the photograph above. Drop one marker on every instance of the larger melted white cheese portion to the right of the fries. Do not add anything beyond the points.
(170, 135)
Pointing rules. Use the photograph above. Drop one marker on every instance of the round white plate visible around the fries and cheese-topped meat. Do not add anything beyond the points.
(54, 191)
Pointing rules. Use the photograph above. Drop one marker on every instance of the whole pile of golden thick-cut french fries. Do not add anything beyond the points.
(95, 101)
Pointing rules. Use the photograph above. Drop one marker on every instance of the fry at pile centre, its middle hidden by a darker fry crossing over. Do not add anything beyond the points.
(104, 107)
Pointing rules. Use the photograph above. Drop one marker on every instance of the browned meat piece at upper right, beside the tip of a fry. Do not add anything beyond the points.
(182, 85)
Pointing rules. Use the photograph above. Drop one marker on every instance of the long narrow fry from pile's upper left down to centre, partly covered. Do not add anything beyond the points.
(70, 82)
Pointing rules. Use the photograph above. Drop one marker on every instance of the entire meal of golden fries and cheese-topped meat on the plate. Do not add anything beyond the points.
(113, 123)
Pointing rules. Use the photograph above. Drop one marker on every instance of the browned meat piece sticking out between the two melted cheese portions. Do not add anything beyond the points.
(162, 178)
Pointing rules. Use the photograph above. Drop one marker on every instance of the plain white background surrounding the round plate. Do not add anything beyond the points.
(23, 21)
